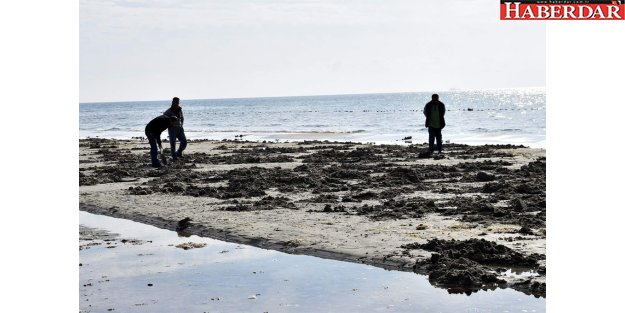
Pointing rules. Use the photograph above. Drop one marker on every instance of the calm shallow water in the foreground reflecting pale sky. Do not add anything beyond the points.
(155, 276)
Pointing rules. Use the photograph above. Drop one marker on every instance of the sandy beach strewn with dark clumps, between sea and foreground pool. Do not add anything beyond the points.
(463, 217)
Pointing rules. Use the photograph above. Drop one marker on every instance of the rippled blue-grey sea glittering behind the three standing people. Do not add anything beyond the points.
(474, 117)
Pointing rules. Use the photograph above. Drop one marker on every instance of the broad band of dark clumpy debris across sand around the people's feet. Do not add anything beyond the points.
(344, 173)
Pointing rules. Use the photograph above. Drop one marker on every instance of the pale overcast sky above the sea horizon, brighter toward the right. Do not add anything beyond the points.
(157, 49)
